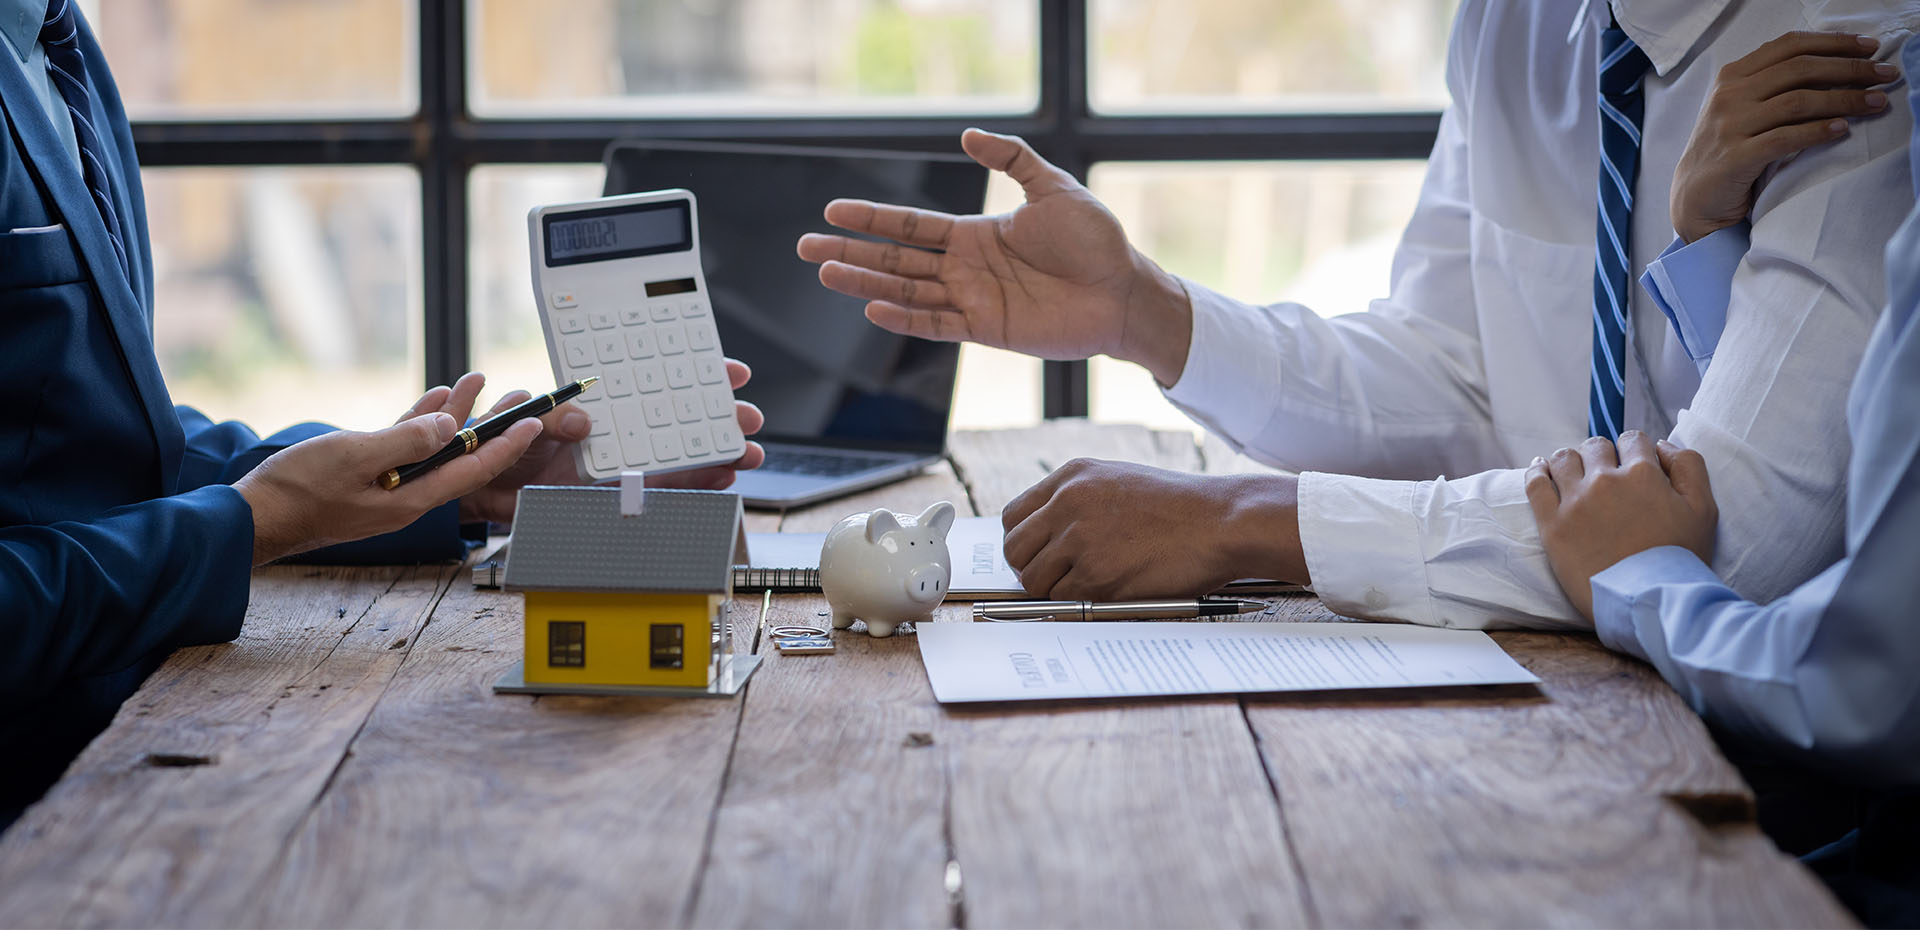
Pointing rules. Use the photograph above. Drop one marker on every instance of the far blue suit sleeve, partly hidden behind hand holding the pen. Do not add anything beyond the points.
(224, 453)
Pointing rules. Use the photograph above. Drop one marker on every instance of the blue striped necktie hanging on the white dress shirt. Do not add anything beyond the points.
(1621, 105)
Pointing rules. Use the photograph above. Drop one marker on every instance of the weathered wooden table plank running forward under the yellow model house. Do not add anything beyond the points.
(552, 810)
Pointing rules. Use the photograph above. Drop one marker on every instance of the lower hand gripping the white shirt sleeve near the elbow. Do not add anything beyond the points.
(1604, 502)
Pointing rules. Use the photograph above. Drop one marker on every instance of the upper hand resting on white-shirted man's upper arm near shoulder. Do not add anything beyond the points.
(1788, 95)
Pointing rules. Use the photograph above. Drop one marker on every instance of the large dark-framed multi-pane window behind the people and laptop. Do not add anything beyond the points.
(339, 201)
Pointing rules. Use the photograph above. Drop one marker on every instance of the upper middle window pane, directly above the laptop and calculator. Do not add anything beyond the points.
(652, 59)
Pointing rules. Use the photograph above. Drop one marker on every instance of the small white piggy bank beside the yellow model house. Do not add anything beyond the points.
(886, 570)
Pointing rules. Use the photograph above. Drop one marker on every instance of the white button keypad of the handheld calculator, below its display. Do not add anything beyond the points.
(663, 399)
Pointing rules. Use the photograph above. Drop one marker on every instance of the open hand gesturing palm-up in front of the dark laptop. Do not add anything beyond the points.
(1057, 278)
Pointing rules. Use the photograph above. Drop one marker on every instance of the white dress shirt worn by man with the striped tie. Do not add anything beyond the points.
(1479, 356)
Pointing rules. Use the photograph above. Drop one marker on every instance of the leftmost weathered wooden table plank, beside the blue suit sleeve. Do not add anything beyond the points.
(178, 810)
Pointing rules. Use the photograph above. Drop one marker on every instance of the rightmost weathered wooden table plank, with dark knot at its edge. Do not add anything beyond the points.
(1604, 795)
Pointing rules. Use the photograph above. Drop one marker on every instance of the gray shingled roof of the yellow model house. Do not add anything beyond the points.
(575, 539)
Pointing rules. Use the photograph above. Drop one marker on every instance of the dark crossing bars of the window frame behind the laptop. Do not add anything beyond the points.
(444, 141)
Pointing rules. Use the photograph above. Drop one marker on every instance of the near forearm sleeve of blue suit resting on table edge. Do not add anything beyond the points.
(93, 599)
